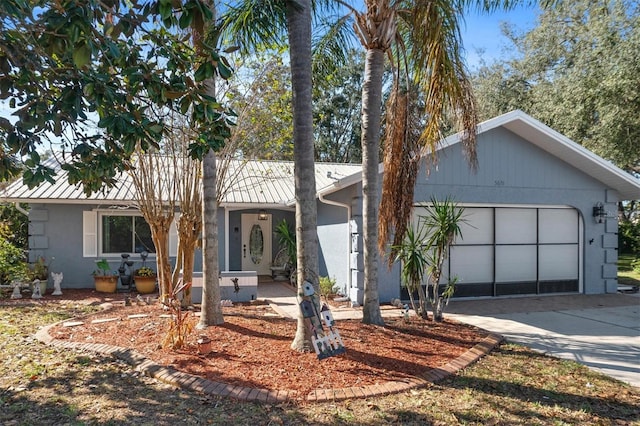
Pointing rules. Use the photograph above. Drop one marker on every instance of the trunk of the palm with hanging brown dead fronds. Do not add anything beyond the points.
(371, 113)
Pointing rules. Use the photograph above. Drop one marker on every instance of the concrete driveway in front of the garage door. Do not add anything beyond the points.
(599, 331)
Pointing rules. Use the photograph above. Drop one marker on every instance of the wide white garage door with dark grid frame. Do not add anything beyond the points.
(516, 250)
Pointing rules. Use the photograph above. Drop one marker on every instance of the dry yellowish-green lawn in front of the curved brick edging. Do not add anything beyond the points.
(513, 385)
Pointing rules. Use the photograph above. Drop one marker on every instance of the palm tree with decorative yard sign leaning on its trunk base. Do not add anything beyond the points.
(256, 22)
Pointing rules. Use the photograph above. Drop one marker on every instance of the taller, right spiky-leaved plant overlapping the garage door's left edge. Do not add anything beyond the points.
(442, 224)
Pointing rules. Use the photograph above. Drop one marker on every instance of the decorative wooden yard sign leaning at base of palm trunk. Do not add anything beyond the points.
(326, 344)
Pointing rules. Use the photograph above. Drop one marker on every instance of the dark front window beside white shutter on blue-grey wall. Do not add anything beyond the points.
(125, 234)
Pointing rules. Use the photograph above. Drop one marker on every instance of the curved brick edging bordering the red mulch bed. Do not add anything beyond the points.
(190, 382)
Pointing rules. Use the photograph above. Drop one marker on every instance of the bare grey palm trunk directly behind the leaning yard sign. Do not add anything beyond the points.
(299, 28)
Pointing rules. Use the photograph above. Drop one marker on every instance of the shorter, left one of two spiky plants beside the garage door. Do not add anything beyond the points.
(411, 254)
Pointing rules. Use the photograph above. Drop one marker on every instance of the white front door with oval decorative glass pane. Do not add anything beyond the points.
(256, 244)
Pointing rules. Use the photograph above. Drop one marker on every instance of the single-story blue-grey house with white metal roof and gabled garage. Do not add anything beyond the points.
(540, 210)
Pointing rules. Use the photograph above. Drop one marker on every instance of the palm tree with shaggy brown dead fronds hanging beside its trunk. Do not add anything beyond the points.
(422, 41)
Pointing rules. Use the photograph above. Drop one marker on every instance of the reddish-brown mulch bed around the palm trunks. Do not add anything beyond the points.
(252, 347)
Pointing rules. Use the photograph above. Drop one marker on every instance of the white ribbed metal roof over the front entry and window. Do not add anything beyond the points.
(249, 182)
